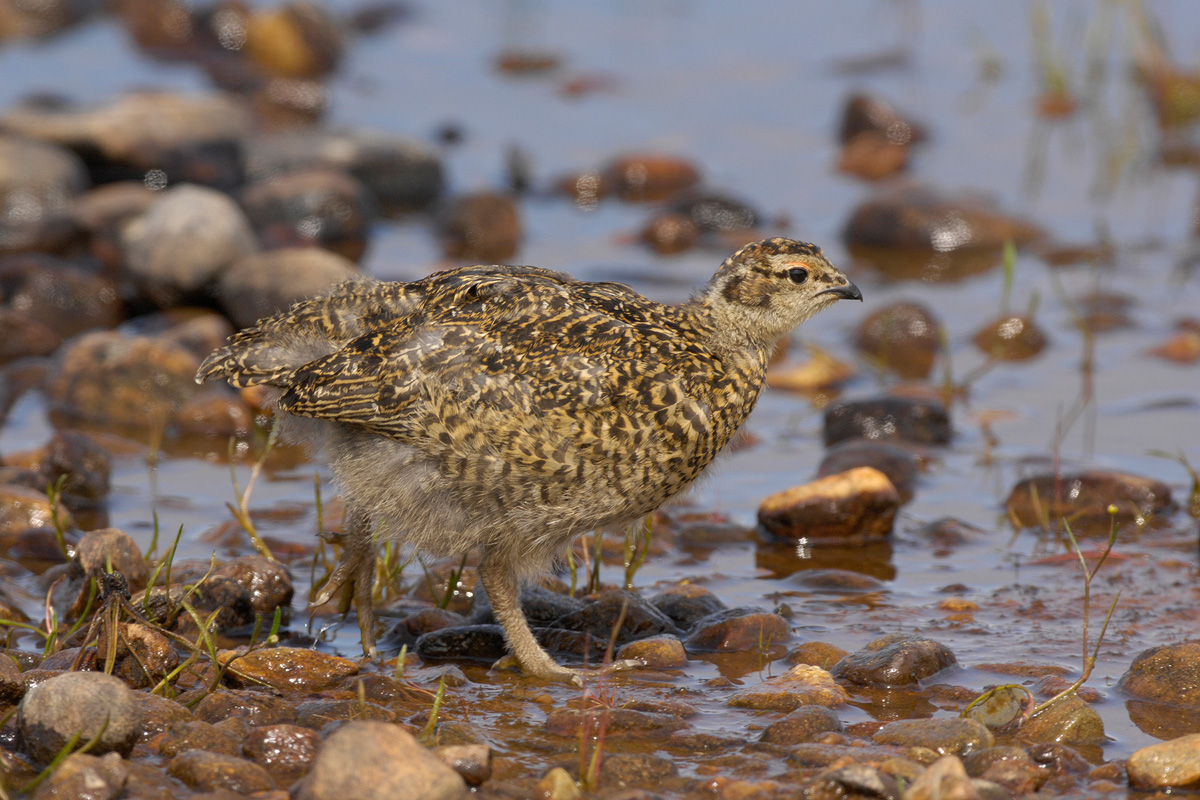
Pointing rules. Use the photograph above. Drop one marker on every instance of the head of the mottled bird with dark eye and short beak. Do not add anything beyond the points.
(770, 287)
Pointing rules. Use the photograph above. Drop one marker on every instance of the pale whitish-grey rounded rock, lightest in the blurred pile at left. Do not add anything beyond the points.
(179, 248)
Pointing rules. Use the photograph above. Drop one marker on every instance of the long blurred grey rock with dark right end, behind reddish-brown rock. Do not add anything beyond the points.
(401, 175)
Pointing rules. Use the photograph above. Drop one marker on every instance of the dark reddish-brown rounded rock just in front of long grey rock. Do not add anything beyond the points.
(326, 208)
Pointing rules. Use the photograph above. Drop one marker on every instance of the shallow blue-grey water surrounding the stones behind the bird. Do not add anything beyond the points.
(753, 98)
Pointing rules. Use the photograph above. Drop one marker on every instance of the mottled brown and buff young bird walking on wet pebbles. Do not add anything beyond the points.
(511, 410)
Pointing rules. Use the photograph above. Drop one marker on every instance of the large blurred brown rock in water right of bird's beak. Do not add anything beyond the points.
(909, 231)
